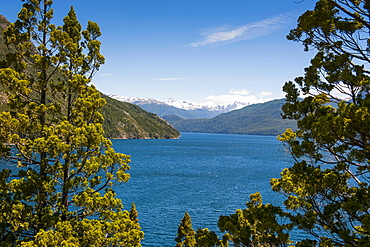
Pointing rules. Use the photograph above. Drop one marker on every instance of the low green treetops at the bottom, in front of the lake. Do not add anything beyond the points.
(257, 225)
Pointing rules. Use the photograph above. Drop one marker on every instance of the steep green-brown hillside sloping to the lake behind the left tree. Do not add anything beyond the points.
(122, 120)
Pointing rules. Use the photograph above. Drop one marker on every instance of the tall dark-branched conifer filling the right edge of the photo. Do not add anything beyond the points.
(327, 188)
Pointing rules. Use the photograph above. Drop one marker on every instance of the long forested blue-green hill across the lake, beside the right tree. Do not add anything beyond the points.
(257, 119)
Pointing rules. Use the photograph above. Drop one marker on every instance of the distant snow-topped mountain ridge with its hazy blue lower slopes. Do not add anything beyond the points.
(182, 108)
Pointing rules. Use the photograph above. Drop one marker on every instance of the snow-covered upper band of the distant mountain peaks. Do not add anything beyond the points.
(180, 104)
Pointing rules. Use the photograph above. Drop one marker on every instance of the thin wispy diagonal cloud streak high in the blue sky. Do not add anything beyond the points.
(246, 32)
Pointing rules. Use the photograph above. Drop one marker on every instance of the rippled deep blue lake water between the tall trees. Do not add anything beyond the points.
(207, 175)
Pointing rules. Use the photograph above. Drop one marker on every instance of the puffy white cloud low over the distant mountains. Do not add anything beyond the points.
(242, 95)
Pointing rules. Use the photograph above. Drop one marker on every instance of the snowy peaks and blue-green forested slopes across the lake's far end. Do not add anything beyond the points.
(258, 119)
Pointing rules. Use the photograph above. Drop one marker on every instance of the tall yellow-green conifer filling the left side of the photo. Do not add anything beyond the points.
(57, 189)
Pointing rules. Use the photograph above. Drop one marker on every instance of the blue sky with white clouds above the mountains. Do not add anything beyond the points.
(203, 51)
